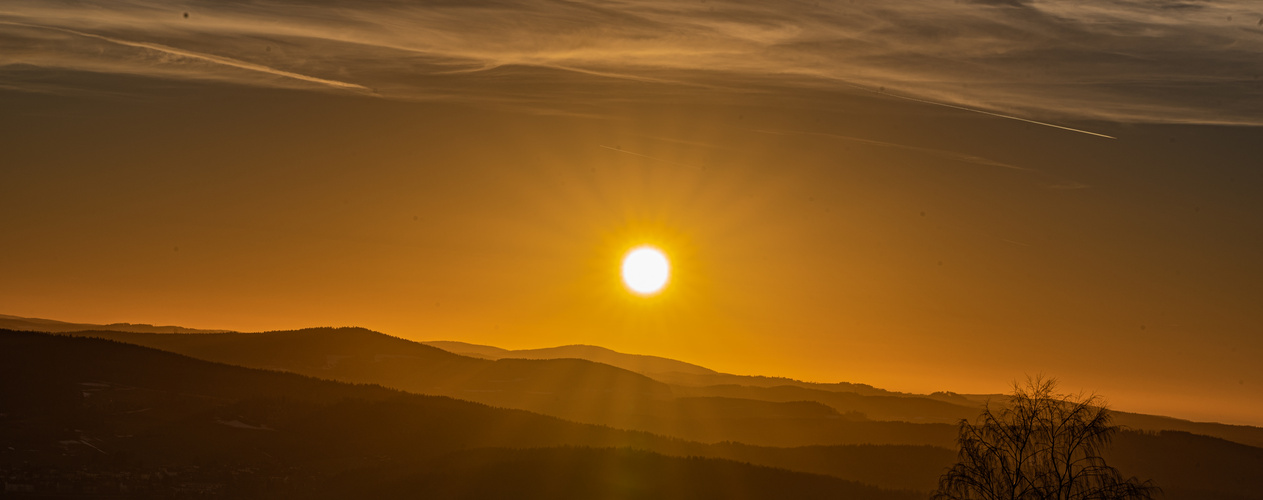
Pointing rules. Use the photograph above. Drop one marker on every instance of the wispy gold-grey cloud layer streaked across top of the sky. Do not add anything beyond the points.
(1045, 61)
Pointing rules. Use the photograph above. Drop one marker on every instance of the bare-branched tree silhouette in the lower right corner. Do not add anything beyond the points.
(1041, 445)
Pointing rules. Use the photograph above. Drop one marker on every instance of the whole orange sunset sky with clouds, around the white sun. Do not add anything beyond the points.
(915, 195)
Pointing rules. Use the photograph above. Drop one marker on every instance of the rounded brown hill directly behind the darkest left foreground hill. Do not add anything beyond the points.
(361, 355)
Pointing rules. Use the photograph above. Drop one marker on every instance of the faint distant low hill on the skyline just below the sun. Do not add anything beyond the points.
(640, 364)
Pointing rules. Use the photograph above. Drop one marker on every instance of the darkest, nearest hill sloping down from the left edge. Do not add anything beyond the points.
(87, 417)
